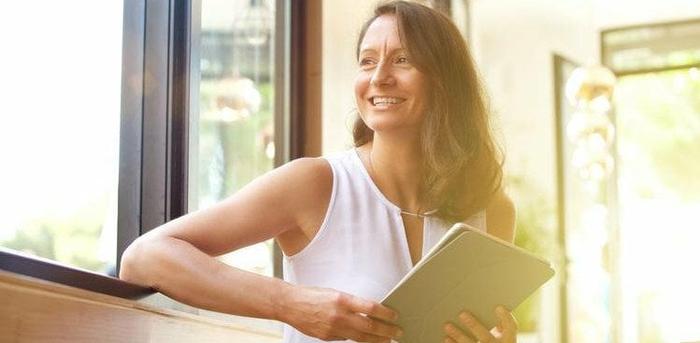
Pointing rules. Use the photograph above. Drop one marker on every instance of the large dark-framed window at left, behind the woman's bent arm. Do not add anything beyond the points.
(145, 62)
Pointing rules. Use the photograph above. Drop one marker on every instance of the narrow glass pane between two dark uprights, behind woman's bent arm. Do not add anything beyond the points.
(236, 131)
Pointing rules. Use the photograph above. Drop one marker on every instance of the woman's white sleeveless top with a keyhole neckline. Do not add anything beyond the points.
(361, 246)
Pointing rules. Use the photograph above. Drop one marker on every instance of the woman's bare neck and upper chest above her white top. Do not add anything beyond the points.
(396, 168)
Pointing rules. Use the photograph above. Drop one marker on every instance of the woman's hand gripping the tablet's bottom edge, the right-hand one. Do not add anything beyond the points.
(505, 332)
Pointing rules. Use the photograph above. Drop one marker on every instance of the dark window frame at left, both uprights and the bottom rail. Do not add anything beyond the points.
(160, 87)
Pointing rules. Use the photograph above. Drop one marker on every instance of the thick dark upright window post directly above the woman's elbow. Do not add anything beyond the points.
(156, 78)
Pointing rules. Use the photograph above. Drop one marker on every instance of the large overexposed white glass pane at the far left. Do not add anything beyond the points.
(59, 131)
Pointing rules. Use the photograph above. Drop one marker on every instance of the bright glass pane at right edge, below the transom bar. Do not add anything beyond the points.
(659, 146)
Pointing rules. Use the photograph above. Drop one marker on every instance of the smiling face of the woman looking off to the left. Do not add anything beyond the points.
(390, 92)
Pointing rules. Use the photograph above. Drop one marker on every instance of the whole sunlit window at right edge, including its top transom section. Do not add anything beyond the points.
(658, 133)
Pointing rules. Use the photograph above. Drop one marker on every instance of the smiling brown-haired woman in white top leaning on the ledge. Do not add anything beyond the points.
(352, 224)
